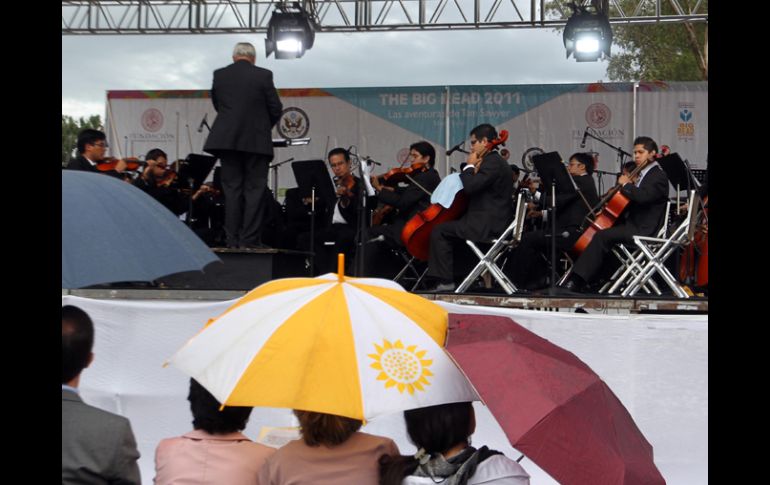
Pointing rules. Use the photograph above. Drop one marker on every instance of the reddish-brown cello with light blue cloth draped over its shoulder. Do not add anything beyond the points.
(416, 232)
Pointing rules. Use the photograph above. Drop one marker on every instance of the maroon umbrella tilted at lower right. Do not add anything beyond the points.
(552, 406)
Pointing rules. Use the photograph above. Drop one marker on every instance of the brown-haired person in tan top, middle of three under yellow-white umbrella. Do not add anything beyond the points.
(331, 451)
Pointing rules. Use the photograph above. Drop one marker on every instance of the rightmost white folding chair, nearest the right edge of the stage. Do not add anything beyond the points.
(656, 250)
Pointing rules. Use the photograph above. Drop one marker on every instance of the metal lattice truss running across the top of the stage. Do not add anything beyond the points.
(247, 16)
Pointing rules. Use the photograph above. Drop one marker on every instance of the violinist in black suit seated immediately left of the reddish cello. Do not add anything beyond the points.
(405, 201)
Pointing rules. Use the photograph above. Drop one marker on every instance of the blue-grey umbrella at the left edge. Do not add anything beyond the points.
(112, 231)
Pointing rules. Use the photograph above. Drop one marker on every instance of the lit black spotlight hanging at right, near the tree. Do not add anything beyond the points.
(587, 35)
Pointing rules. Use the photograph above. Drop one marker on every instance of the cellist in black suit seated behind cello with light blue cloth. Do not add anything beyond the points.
(487, 184)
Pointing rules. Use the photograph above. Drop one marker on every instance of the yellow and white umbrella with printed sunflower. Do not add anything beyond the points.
(346, 346)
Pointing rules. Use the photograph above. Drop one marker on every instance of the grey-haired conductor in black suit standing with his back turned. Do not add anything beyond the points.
(248, 107)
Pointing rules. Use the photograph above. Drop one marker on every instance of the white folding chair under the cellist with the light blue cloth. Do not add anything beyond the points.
(488, 261)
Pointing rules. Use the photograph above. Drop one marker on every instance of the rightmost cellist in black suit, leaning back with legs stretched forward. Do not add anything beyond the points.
(642, 217)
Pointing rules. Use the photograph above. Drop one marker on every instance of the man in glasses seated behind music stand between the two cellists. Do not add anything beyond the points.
(571, 209)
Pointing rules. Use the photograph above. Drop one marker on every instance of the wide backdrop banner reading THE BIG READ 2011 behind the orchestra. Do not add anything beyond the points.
(382, 122)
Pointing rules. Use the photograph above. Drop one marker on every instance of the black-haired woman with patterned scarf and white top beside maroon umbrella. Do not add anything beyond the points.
(442, 434)
